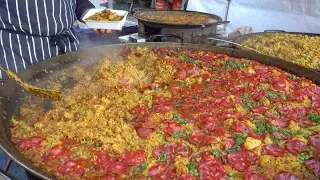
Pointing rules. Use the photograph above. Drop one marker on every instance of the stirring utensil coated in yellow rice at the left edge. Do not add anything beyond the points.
(44, 93)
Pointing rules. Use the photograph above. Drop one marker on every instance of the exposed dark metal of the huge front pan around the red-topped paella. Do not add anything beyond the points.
(11, 94)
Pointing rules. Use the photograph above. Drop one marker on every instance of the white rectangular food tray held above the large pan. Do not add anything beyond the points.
(113, 25)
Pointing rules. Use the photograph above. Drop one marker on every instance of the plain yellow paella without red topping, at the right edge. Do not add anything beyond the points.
(296, 48)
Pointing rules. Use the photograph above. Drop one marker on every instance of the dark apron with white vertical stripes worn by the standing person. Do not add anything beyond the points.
(34, 30)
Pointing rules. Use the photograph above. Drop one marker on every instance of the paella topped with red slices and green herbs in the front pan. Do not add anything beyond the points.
(176, 114)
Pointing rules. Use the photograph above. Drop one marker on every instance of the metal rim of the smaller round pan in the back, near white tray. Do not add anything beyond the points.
(214, 20)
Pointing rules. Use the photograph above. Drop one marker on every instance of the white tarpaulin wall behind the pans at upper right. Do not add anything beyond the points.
(288, 15)
